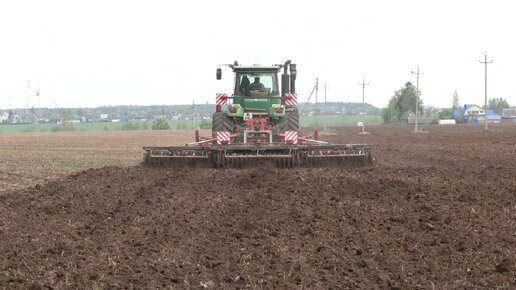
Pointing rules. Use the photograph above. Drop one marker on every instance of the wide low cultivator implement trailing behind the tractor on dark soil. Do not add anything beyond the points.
(268, 155)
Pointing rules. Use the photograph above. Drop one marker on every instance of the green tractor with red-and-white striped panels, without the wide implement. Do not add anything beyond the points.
(260, 109)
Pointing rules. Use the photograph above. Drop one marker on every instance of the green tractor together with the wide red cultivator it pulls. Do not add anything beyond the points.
(258, 125)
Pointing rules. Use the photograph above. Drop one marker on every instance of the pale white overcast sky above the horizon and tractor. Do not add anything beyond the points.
(95, 53)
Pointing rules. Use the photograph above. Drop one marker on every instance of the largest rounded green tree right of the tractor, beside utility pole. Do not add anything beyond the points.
(404, 100)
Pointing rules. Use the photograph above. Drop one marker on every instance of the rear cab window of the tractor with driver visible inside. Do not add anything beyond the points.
(256, 84)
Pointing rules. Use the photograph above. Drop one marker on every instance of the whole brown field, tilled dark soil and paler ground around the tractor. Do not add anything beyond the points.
(436, 211)
